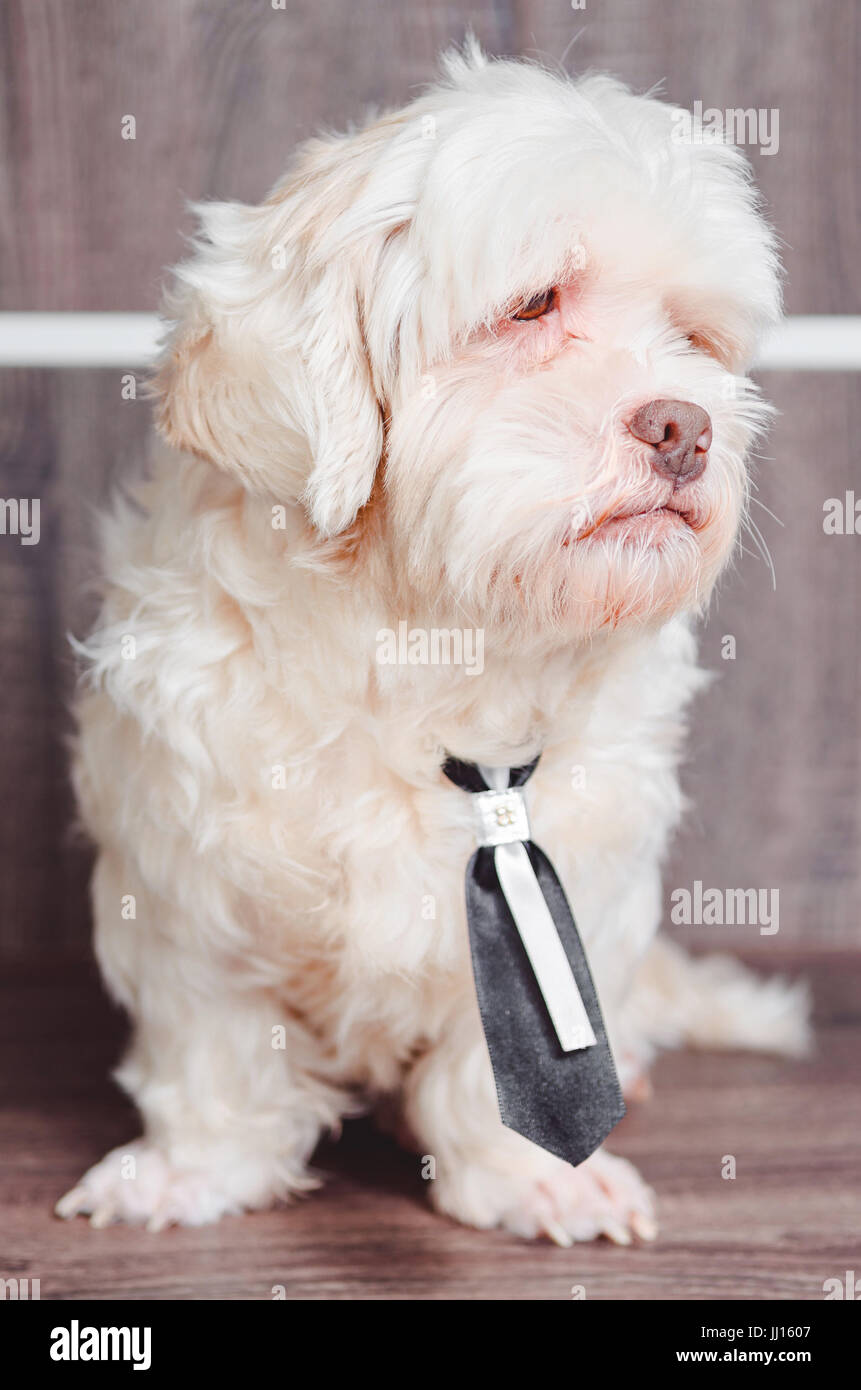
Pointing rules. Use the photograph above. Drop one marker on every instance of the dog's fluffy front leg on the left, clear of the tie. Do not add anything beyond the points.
(229, 1086)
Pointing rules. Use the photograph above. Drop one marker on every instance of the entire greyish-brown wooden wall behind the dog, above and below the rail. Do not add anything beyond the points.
(220, 92)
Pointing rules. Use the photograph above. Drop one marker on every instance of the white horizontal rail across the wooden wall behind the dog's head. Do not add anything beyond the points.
(805, 343)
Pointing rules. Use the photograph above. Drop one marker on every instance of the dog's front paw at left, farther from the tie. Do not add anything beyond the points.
(140, 1186)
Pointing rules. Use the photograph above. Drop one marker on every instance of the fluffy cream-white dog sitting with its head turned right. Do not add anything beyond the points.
(475, 369)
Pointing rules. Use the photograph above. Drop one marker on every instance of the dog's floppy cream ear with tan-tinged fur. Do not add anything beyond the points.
(266, 370)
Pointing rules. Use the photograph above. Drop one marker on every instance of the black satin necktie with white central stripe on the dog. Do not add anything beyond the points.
(554, 1071)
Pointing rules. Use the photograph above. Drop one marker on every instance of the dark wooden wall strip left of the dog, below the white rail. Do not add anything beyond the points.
(63, 439)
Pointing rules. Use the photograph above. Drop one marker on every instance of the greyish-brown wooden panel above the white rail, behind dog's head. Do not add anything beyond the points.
(222, 92)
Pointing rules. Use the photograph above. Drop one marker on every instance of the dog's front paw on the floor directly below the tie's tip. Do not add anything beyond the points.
(604, 1196)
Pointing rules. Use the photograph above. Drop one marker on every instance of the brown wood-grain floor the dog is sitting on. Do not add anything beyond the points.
(789, 1221)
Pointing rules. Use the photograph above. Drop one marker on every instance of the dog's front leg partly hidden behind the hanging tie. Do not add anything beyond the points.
(486, 1175)
